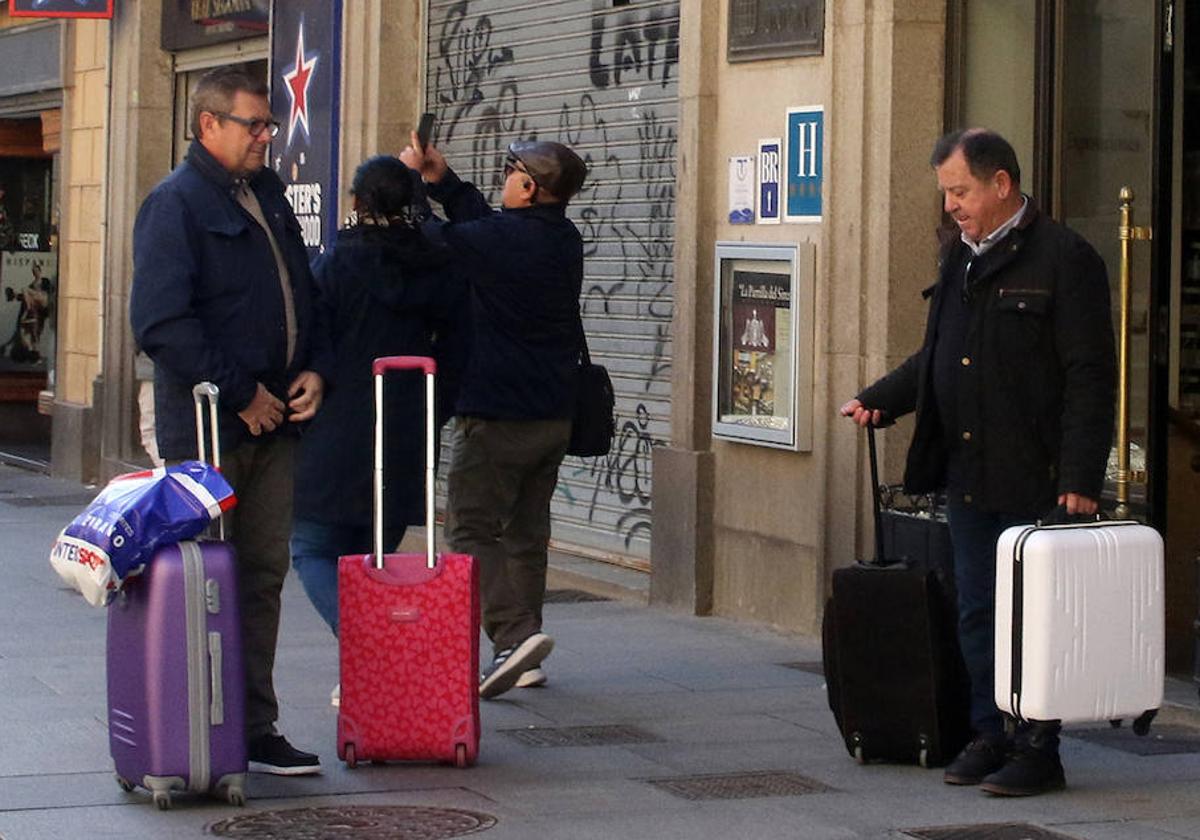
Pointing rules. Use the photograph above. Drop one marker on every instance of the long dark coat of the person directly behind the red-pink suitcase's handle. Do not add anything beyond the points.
(381, 292)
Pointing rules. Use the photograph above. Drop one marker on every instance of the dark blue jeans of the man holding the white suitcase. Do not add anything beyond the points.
(974, 535)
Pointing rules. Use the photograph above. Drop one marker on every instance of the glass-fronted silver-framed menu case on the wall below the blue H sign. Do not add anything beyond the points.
(763, 356)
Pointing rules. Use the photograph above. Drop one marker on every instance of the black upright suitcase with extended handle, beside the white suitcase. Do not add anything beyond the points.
(895, 674)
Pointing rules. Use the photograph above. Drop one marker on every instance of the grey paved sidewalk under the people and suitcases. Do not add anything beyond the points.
(692, 698)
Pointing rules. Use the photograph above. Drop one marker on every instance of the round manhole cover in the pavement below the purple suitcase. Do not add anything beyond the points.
(397, 823)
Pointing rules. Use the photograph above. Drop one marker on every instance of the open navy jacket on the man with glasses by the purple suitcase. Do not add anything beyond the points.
(207, 304)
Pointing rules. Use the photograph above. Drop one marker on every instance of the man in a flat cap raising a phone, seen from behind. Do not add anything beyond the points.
(525, 265)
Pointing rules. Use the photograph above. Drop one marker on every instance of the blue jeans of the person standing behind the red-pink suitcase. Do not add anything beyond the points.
(316, 548)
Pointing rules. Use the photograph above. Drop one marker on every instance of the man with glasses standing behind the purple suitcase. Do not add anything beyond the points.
(223, 293)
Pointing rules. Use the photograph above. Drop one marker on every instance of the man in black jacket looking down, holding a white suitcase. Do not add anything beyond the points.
(1015, 392)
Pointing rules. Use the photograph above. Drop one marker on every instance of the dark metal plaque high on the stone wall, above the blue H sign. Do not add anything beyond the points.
(776, 29)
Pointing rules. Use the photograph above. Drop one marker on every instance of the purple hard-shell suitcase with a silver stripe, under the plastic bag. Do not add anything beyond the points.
(176, 683)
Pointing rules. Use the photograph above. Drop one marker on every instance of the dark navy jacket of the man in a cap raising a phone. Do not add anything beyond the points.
(526, 273)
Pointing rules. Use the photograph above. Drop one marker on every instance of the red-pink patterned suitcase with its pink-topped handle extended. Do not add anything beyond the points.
(409, 634)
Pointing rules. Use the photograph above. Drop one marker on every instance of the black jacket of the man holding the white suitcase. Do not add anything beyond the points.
(1037, 388)
